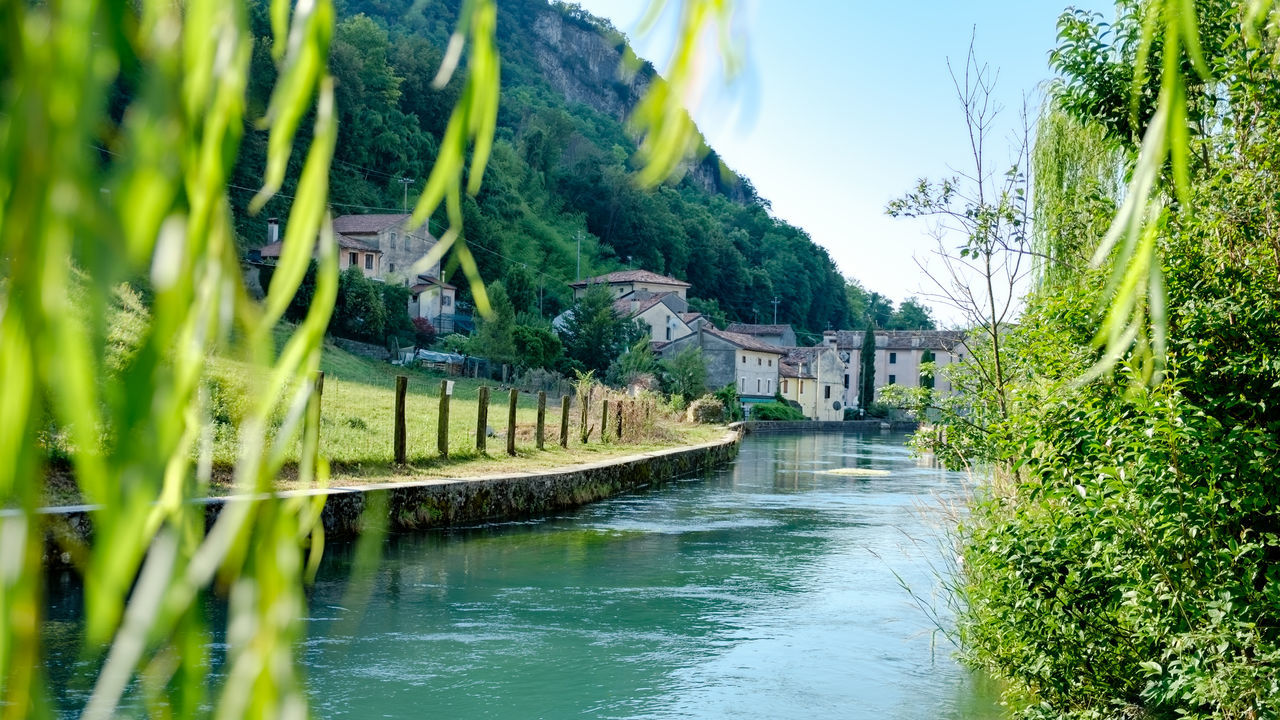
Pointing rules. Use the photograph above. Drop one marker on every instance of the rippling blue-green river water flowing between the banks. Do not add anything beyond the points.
(762, 590)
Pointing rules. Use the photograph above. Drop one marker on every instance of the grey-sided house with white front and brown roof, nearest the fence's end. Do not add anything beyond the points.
(734, 359)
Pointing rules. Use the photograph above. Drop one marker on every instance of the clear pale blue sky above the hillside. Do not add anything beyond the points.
(849, 103)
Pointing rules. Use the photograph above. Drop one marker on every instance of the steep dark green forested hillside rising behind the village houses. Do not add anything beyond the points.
(561, 168)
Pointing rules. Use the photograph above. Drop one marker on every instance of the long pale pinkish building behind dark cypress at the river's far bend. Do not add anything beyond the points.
(899, 358)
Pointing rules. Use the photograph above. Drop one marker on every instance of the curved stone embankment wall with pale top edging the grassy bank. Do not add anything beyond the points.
(441, 503)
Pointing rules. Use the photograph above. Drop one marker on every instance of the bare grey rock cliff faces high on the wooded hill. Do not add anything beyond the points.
(584, 63)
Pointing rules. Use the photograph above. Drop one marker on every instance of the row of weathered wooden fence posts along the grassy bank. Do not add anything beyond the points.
(442, 438)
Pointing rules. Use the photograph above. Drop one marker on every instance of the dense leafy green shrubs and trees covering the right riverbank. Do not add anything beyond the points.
(1126, 559)
